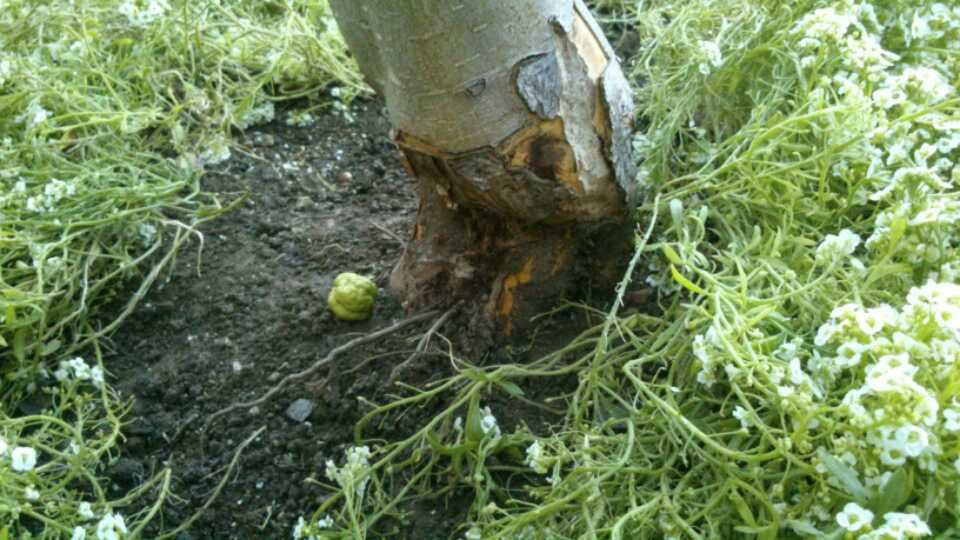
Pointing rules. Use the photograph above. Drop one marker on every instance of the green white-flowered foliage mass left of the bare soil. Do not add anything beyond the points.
(110, 110)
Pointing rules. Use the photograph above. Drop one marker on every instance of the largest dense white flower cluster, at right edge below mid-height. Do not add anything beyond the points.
(895, 363)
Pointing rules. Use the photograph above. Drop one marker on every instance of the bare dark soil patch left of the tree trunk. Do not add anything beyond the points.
(321, 200)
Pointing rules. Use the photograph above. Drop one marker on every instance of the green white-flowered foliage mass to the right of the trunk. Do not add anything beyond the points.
(799, 381)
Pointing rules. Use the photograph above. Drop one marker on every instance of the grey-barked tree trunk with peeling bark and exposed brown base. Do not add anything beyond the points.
(515, 118)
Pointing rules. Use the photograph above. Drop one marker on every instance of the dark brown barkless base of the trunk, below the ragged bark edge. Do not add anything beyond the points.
(508, 268)
